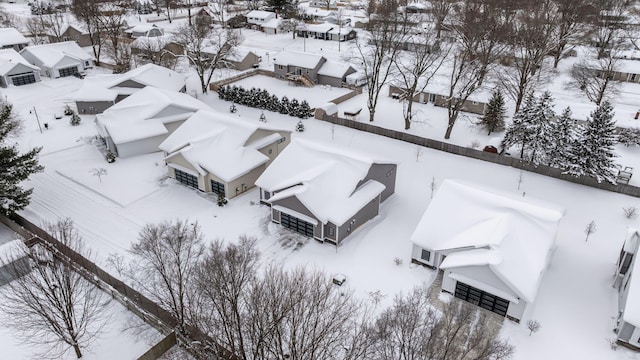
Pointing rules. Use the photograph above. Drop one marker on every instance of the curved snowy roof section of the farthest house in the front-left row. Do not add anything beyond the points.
(153, 75)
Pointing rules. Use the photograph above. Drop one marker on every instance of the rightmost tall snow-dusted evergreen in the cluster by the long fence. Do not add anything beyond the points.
(594, 151)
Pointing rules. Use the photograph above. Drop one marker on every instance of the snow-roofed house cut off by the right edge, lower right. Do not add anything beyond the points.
(628, 283)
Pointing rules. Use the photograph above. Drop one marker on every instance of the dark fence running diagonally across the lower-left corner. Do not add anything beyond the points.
(148, 310)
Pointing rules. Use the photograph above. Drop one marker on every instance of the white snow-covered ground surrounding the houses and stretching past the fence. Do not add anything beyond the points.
(576, 304)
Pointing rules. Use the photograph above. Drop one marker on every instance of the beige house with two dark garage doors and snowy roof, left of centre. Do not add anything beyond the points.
(214, 152)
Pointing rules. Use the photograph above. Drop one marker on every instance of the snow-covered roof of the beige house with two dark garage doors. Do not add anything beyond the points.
(210, 132)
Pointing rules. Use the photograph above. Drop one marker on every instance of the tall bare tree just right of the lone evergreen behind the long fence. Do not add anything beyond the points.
(530, 41)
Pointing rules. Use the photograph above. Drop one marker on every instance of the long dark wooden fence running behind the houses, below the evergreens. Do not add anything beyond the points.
(624, 189)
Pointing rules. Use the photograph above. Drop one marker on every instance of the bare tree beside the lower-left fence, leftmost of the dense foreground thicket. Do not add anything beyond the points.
(166, 258)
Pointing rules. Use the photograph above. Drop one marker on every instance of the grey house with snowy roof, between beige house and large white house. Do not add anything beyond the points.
(325, 191)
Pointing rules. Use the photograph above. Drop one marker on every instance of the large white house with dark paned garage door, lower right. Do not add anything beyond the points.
(493, 247)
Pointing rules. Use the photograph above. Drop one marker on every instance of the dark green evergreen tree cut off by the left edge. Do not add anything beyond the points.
(14, 167)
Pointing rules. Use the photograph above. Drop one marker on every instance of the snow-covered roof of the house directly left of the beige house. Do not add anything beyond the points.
(140, 115)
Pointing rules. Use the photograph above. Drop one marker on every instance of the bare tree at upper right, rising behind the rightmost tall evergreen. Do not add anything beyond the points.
(594, 76)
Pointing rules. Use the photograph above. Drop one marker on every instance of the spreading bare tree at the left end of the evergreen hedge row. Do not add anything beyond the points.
(206, 48)
